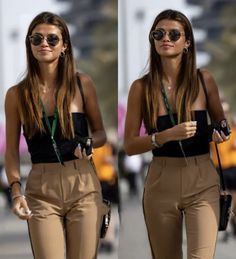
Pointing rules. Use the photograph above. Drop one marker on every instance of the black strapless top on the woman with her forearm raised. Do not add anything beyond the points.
(196, 145)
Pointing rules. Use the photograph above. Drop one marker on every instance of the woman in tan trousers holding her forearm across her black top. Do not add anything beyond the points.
(181, 181)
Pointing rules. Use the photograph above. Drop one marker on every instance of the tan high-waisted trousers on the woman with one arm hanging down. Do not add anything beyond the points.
(67, 207)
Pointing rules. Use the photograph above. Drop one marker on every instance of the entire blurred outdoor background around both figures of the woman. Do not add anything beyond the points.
(110, 40)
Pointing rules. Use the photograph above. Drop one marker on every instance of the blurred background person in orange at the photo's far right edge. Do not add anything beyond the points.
(227, 153)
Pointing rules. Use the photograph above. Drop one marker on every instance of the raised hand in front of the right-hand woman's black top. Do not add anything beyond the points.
(184, 130)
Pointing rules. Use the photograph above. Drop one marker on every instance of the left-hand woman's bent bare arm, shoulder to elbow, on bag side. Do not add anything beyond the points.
(93, 112)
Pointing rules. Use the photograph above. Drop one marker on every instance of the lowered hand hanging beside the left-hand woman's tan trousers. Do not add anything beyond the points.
(21, 209)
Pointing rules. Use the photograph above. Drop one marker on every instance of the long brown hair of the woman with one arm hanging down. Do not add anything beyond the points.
(66, 82)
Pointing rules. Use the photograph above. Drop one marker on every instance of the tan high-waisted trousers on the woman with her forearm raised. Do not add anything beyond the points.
(173, 191)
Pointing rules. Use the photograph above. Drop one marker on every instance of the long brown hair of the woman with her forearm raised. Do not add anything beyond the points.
(187, 86)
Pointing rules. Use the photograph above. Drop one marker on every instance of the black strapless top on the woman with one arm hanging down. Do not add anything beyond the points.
(40, 145)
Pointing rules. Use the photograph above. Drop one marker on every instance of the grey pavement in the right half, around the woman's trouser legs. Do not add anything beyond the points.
(133, 235)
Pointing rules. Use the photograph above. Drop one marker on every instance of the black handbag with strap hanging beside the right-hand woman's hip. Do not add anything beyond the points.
(225, 198)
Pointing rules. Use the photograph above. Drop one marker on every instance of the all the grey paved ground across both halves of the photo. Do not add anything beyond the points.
(14, 243)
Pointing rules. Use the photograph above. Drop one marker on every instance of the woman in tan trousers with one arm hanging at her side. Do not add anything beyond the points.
(63, 201)
